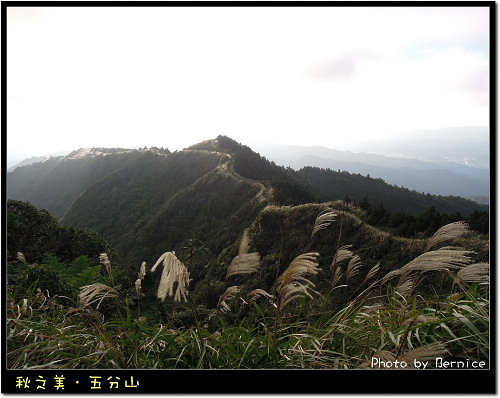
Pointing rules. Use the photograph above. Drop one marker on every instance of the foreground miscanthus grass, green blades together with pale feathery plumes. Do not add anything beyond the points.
(436, 305)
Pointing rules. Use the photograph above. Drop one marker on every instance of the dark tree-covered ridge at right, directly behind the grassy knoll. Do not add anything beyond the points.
(333, 185)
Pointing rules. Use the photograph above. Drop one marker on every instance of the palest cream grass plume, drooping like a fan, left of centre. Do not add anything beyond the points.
(174, 272)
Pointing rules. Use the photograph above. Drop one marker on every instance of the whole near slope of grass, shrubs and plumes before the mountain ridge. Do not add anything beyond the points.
(309, 286)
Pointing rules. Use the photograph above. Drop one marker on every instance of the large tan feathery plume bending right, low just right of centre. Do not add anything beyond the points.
(292, 283)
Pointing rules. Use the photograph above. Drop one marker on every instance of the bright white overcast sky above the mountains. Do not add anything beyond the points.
(174, 76)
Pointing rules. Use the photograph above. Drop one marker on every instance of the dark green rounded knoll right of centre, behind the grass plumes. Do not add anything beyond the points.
(281, 233)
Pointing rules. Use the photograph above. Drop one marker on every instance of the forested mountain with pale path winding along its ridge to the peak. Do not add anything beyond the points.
(145, 202)
